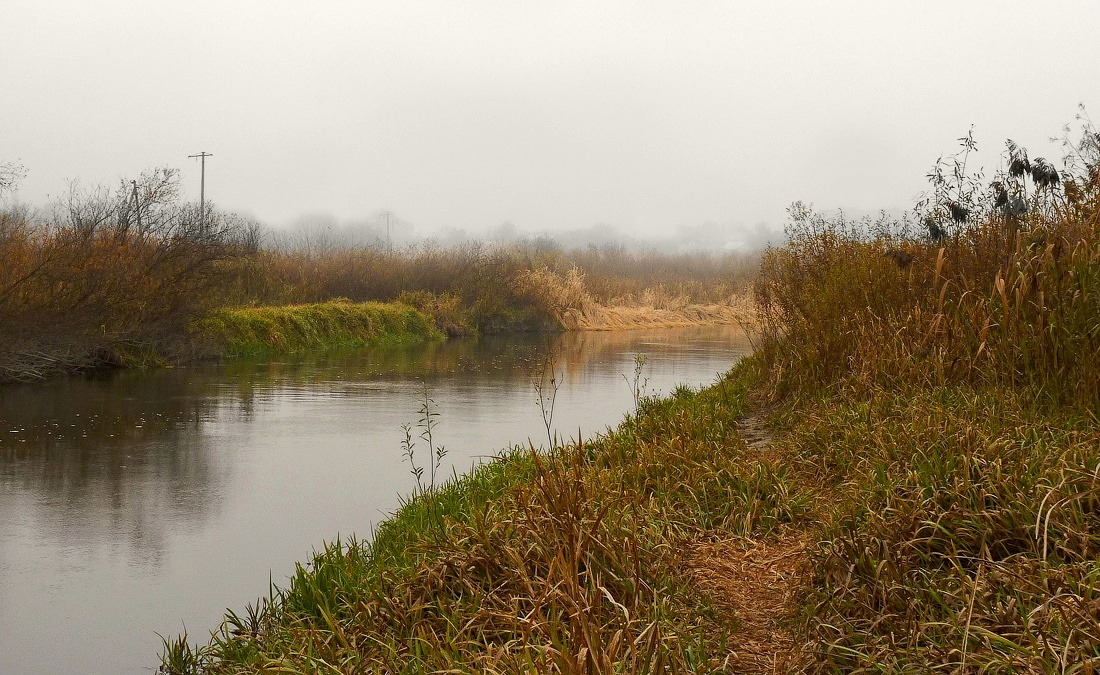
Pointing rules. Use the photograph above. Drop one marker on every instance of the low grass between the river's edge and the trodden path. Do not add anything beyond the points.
(568, 562)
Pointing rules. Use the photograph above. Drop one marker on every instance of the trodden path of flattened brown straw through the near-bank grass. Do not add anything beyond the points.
(755, 582)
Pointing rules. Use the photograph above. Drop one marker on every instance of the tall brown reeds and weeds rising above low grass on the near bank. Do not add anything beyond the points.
(1006, 298)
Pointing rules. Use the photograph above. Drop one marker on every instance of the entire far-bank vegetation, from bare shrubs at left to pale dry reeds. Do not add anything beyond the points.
(139, 278)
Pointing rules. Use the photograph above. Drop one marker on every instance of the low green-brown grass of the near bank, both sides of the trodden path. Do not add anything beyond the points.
(958, 524)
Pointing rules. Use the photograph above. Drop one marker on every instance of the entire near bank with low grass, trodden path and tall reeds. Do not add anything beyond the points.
(903, 479)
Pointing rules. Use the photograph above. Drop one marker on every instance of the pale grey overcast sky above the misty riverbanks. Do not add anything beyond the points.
(553, 116)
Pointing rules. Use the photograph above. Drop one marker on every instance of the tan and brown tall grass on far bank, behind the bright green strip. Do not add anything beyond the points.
(490, 289)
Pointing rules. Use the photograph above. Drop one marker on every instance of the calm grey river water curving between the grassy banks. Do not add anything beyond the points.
(144, 503)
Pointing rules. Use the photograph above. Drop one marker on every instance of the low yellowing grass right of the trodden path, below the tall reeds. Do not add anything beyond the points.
(963, 530)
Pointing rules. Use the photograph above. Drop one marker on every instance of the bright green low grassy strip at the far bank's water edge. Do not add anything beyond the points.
(257, 330)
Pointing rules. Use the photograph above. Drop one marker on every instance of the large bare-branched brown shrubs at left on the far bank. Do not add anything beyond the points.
(108, 279)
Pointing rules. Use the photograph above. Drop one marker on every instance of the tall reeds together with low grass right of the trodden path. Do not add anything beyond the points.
(942, 382)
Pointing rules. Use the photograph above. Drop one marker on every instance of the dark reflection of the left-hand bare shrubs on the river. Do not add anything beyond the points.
(118, 459)
